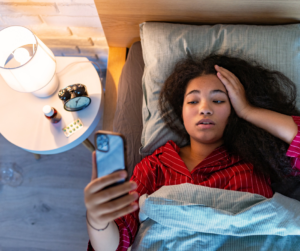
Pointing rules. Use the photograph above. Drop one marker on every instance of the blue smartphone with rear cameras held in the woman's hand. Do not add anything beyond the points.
(110, 155)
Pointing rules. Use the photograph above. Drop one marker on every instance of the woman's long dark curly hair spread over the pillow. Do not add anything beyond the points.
(267, 89)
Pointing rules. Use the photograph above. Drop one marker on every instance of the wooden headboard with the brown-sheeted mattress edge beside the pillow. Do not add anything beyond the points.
(121, 20)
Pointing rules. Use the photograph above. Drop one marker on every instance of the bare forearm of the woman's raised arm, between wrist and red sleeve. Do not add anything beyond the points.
(280, 125)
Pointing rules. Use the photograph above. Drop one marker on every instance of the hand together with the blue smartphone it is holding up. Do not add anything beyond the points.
(107, 196)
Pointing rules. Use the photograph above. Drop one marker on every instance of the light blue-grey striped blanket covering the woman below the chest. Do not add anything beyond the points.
(193, 217)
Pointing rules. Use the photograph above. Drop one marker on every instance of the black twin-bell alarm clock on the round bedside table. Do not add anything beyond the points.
(74, 97)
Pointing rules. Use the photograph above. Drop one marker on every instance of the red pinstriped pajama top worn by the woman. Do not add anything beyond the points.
(218, 170)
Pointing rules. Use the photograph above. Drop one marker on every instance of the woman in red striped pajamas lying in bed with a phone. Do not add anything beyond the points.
(254, 124)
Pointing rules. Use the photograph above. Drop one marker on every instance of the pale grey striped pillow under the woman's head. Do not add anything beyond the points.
(275, 47)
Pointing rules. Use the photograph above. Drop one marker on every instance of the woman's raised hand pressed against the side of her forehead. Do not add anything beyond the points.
(236, 91)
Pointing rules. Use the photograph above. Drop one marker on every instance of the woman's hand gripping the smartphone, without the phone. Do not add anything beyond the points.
(100, 209)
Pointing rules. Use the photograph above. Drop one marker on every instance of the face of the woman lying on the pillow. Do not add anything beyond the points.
(202, 101)
